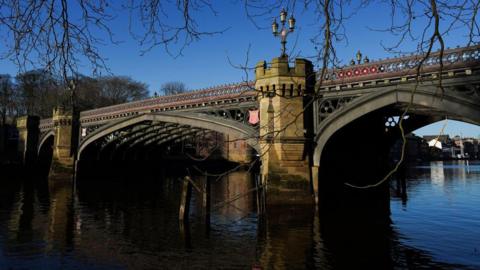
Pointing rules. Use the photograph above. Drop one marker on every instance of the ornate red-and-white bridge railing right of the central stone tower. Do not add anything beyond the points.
(453, 59)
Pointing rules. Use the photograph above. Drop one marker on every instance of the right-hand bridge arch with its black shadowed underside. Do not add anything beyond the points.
(354, 144)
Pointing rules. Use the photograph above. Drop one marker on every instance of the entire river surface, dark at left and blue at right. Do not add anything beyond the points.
(133, 224)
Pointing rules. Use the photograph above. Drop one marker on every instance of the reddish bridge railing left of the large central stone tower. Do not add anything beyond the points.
(201, 98)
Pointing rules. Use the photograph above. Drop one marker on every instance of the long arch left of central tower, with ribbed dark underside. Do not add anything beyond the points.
(167, 139)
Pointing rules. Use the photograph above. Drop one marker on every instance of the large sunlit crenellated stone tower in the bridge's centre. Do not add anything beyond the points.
(283, 139)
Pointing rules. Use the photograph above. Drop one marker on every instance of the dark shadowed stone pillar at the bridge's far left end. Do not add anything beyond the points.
(28, 133)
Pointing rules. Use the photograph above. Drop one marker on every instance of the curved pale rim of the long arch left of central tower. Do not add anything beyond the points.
(194, 120)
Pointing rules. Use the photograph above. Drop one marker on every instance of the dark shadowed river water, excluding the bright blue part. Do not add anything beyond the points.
(132, 223)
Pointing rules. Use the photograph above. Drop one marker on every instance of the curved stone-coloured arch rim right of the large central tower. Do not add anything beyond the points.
(456, 106)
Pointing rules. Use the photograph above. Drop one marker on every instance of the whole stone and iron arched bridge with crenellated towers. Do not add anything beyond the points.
(309, 127)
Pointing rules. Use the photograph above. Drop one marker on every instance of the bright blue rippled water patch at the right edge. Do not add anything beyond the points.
(442, 214)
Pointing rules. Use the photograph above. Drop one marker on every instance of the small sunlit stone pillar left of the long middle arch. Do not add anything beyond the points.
(63, 158)
